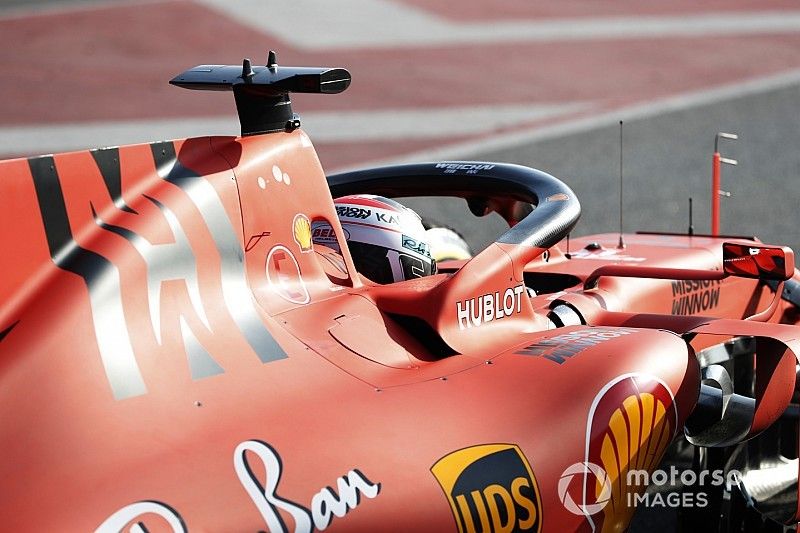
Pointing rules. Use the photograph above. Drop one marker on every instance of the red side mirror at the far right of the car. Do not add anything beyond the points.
(773, 263)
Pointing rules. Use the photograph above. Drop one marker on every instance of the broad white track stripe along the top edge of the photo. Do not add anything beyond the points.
(353, 24)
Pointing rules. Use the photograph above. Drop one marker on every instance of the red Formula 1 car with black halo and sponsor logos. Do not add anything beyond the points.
(178, 353)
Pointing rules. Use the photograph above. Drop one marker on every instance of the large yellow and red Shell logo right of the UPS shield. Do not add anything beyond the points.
(630, 424)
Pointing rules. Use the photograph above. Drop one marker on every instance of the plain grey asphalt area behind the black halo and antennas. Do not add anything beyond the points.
(666, 161)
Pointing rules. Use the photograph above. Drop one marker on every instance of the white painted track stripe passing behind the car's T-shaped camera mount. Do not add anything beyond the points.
(350, 126)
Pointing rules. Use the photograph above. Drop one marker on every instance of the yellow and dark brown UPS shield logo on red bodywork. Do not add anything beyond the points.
(491, 488)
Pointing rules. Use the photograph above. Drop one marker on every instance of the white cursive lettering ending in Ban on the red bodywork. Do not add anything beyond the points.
(325, 505)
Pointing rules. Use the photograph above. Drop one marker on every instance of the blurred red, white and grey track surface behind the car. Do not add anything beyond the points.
(540, 83)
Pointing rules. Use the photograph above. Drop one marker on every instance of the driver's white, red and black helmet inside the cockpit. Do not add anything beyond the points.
(386, 239)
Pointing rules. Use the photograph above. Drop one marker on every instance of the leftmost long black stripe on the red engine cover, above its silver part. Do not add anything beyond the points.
(65, 252)
